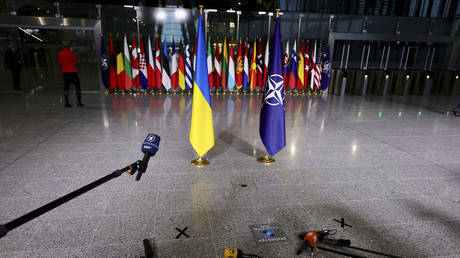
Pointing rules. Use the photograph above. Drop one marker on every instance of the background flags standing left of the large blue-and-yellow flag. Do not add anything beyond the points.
(132, 68)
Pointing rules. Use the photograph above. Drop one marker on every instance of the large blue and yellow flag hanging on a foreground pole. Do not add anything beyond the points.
(201, 128)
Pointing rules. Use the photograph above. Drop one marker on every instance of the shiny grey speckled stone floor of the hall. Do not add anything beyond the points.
(389, 166)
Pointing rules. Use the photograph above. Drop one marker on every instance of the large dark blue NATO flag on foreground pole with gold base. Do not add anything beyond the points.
(272, 128)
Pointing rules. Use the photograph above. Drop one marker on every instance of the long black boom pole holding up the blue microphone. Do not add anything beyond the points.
(140, 165)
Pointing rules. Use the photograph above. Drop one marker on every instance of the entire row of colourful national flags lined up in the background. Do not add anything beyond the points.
(132, 68)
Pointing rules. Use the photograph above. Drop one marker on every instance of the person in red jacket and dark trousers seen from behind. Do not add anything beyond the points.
(67, 60)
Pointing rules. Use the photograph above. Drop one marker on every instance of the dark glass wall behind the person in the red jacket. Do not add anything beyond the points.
(39, 50)
